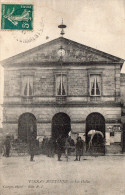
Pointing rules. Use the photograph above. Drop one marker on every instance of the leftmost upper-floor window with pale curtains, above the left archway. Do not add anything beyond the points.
(27, 86)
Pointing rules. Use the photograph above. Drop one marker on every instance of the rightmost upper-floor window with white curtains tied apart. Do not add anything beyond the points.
(95, 84)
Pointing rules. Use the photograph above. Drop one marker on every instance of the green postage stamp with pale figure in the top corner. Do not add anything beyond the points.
(17, 16)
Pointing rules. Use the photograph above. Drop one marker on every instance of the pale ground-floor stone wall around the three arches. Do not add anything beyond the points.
(44, 117)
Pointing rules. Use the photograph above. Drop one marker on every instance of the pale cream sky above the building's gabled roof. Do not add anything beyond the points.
(95, 23)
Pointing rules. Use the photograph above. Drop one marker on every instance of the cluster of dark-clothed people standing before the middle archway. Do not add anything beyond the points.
(63, 145)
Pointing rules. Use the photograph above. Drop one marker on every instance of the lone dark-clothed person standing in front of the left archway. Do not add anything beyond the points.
(32, 147)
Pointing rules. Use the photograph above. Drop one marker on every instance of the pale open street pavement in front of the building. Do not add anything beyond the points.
(104, 175)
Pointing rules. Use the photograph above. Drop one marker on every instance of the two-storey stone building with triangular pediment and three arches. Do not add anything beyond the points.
(60, 87)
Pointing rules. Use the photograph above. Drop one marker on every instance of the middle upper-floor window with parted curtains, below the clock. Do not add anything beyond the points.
(61, 84)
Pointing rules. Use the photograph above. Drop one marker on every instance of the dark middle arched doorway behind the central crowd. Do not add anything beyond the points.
(61, 125)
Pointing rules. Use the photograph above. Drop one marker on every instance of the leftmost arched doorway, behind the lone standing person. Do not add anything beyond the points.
(26, 126)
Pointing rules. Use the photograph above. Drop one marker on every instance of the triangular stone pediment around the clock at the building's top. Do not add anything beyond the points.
(74, 52)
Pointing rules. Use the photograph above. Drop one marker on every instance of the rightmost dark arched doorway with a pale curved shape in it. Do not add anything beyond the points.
(96, 121)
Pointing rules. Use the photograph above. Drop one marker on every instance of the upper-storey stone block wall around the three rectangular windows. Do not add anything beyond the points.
(77, 81)
